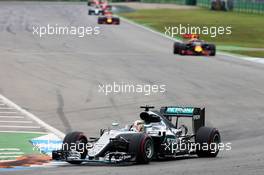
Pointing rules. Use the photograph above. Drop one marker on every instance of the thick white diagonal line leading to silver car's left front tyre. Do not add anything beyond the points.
(33, 117)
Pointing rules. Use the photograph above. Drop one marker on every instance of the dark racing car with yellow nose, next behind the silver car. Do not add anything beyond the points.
(194, 46)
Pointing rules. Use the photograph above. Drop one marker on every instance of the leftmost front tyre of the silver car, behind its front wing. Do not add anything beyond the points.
(76, 140)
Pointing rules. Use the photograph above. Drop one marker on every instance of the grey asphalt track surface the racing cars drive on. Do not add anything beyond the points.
(57, 78)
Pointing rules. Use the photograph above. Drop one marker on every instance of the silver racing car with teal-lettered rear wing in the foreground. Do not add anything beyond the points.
(154, 136)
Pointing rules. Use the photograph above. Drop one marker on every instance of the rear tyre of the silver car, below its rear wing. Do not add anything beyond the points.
(208, 139)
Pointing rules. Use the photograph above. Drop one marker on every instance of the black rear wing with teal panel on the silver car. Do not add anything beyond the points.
(197, 115)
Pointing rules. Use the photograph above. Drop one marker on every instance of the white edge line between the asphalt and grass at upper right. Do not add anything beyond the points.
(246, 58)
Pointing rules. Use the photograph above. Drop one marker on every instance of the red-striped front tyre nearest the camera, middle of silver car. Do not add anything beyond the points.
(142, 146)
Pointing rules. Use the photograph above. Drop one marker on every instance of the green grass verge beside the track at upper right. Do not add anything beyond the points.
(247, 29)
